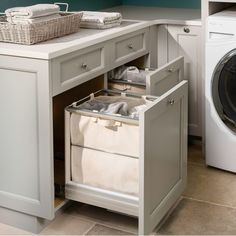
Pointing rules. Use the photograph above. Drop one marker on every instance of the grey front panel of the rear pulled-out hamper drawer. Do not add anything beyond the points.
(166, 77)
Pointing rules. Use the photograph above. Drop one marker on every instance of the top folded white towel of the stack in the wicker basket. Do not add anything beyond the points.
(34, 11)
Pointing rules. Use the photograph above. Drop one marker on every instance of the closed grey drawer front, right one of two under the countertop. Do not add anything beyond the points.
(127, 48)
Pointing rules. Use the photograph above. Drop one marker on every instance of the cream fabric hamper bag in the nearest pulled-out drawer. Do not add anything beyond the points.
(104, 149)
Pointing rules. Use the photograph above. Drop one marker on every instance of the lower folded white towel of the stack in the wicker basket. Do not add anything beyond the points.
(16, 20)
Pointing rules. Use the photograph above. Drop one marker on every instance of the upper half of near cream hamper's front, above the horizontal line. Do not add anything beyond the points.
(119, 138)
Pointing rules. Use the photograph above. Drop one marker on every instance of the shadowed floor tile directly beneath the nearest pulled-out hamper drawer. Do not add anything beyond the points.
(103, 216)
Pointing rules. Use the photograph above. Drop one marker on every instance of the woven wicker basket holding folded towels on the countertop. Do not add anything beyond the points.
(41, 31)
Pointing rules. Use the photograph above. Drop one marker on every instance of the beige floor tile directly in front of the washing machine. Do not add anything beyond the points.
(210, 184)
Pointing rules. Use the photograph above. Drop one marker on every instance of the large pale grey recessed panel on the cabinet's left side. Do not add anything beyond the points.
(26, 166)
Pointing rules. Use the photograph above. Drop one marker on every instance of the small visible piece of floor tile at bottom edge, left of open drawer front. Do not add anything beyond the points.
(104, 230)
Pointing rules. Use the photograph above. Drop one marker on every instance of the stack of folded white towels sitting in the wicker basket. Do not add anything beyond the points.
(32, 14)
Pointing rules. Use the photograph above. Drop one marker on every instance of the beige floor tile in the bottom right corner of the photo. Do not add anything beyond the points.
(193, 217)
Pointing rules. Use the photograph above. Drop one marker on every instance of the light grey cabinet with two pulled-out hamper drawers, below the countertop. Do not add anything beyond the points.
(28, 89)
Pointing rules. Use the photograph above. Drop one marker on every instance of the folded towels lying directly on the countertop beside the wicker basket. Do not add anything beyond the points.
(100, 20)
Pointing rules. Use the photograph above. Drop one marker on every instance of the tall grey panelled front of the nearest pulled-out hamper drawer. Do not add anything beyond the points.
(163, 157)
